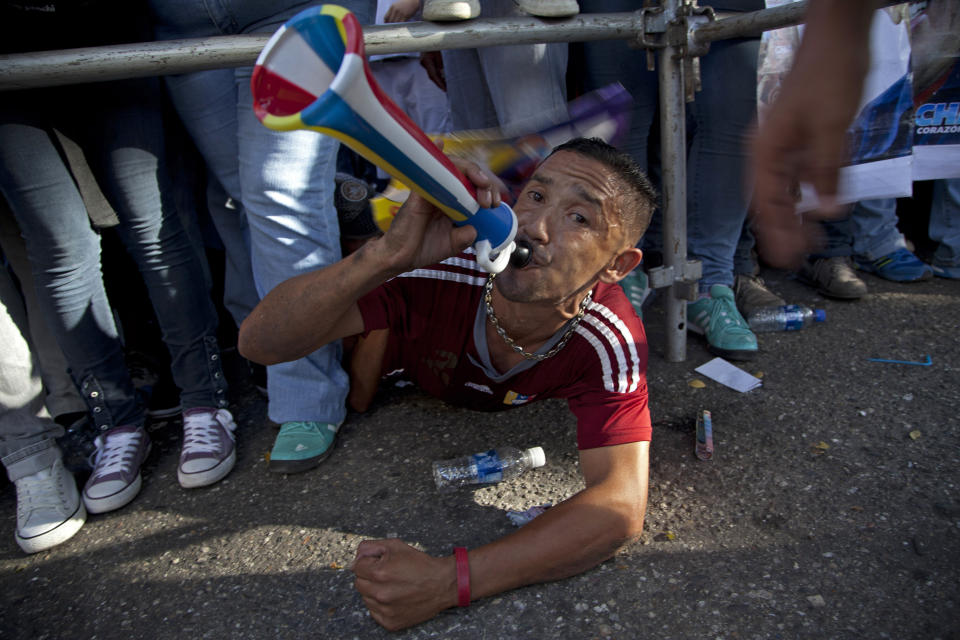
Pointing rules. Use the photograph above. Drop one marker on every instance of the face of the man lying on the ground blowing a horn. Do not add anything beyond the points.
(569, 212)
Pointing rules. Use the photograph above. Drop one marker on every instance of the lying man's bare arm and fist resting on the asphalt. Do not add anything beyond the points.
(402, 586)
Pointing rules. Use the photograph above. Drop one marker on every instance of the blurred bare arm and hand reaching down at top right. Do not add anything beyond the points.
(803, 138)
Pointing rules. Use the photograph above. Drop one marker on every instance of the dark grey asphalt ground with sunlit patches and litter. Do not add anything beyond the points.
(829, 510)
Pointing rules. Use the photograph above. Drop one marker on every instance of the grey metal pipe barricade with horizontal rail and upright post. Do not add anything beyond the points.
(678, 31)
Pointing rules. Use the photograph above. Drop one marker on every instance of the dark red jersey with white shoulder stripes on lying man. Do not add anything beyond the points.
(436, 319)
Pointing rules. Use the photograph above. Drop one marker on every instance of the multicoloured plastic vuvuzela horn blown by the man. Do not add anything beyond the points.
(313, 75)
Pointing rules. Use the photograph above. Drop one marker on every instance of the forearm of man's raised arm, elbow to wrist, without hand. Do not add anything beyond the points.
(306, 312)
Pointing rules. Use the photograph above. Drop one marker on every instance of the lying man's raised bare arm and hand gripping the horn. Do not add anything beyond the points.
(307, 311)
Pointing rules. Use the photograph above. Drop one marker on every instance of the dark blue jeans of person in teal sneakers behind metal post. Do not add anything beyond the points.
(718, 122)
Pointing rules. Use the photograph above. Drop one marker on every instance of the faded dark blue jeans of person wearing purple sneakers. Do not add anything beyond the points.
(118, 125)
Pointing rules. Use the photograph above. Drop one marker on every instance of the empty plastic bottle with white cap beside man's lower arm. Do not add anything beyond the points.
(491, 466)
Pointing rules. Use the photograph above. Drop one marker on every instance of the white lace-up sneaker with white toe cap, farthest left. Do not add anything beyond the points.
(49, 509)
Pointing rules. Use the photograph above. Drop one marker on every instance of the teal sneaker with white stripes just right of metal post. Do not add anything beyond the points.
(728, 334)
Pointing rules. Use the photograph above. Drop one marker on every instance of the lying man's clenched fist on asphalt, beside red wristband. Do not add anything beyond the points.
(402, 586)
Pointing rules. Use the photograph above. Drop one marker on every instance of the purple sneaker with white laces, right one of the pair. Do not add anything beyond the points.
(209, 450)
